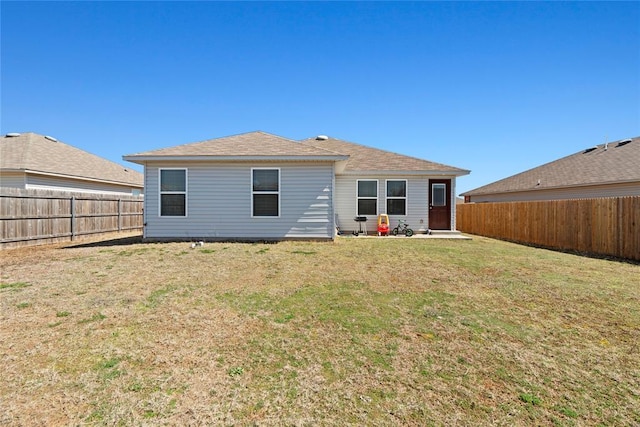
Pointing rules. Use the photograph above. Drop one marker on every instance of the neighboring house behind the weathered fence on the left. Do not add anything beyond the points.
(33, 161)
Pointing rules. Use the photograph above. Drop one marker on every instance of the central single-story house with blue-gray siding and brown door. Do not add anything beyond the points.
(260, 186)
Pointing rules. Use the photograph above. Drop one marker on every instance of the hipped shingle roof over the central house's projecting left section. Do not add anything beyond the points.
(246, 146)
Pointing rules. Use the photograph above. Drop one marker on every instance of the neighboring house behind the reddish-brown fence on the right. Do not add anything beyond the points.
(605, 170)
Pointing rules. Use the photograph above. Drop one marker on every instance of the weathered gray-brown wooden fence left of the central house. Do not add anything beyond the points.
(29, 217)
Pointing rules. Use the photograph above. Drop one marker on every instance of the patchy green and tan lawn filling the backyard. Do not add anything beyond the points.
(355, 332)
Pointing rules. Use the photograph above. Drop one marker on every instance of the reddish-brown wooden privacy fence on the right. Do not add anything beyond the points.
(606, 226)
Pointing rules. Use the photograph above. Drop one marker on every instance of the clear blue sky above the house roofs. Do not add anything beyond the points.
(496, 88)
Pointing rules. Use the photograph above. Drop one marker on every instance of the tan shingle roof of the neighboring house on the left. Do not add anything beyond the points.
(31, 152)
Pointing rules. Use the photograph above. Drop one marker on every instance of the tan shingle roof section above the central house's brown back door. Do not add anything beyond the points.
(368, 159)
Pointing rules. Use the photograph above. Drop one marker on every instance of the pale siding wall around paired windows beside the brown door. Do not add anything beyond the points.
(417, 201)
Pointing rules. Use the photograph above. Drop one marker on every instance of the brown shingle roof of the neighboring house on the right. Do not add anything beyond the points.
(613, 162)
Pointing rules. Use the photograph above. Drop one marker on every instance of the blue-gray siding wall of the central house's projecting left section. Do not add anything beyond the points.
(219, 203)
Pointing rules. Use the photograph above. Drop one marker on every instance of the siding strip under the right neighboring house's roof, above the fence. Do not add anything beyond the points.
(578, 192)
